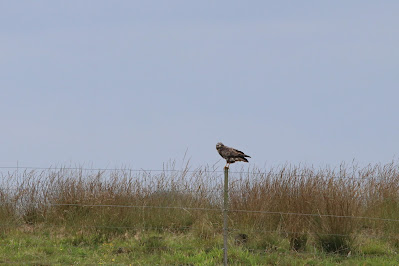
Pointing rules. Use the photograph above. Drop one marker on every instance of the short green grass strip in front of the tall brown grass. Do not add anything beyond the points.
(41, 246)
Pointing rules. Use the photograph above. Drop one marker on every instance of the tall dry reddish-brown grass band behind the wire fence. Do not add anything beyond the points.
(295, 201)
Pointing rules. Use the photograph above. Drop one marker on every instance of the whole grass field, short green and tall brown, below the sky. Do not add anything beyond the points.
(284, 216)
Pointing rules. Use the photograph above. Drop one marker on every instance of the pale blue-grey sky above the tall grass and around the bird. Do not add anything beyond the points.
(137, 83)
